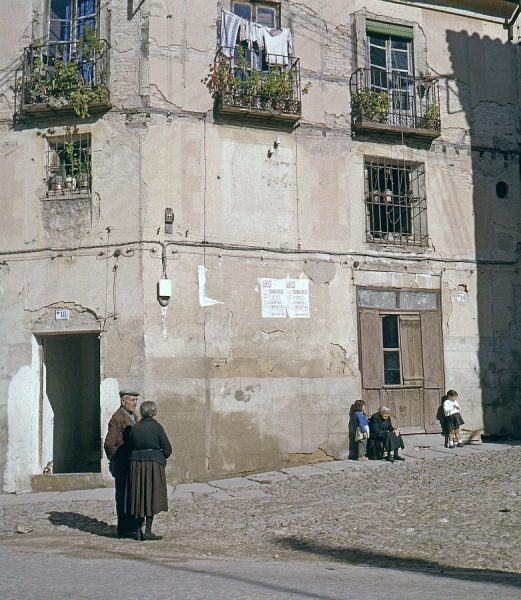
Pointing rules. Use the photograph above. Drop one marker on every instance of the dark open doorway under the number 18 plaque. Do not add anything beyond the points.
(72, 384)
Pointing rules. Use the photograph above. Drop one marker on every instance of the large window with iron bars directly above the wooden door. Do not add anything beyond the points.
(396, 205)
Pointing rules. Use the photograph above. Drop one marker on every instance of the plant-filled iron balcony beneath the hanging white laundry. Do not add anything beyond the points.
(246, 85)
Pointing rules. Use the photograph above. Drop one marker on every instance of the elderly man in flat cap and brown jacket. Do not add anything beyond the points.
(117, 449)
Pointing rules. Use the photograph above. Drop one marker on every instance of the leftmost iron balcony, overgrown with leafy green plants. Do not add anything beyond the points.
(65, 77)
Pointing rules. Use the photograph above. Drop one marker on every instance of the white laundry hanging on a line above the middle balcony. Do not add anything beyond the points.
(277, 43)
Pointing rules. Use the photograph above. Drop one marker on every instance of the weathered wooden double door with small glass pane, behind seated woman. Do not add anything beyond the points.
(402, 365)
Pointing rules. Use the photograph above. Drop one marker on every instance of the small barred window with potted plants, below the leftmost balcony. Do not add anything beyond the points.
(68, 165)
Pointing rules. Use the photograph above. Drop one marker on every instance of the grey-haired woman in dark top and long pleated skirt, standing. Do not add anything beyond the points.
(146, 487)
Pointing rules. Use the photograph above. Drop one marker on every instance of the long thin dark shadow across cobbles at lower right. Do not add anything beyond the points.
(355, 556)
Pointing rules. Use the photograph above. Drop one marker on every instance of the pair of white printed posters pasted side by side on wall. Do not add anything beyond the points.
(283, 298)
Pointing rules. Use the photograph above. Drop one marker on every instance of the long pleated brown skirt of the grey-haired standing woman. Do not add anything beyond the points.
(146, 489)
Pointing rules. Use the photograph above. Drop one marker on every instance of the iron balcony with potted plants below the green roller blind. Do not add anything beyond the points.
(393, 102)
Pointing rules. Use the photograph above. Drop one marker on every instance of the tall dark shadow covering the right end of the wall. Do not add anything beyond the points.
(485, 88)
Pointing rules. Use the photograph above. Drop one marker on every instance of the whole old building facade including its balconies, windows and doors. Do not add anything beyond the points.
(255, 212)
